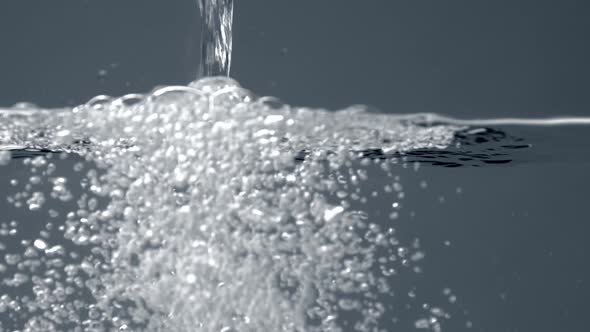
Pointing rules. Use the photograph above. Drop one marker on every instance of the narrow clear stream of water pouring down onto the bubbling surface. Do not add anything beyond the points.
(216, 37)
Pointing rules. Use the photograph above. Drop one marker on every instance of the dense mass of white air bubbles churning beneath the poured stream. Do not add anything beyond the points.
(206, 208)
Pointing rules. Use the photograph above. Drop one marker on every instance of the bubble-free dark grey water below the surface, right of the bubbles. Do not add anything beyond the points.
(509, 239)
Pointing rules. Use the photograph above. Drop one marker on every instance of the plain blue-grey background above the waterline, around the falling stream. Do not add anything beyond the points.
(458, 57)
